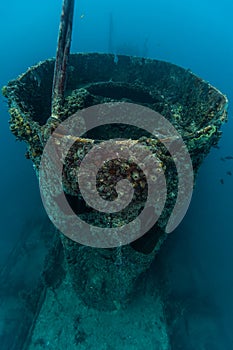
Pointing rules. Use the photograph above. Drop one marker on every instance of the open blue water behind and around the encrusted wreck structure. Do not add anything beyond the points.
(193, 34)
